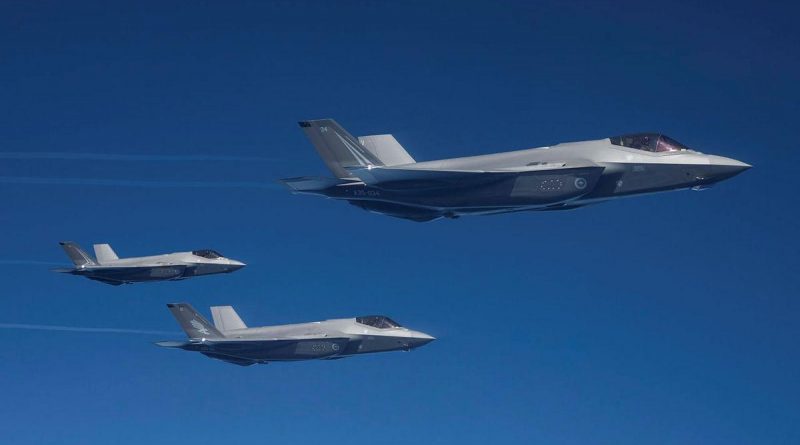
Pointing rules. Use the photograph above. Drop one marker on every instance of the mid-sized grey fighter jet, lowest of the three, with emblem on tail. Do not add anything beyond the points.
(230, 340)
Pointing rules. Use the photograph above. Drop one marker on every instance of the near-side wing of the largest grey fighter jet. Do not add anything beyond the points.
(387, 177)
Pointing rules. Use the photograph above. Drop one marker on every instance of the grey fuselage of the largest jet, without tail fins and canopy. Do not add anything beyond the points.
(563, 176)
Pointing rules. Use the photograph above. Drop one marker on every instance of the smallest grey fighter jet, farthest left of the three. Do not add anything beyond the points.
(110, 269)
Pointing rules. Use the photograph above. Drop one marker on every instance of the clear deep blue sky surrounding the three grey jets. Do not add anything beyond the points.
(668, 319)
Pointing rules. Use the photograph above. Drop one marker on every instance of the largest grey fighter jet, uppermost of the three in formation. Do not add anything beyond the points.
(377, 174)
